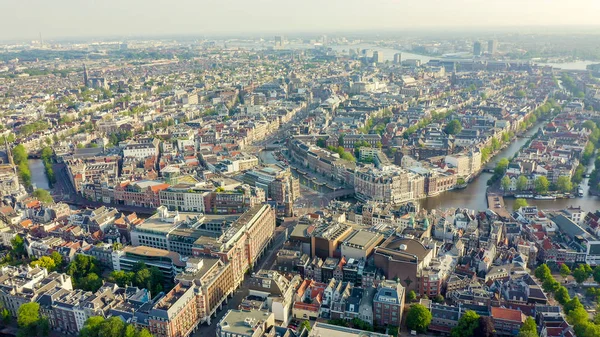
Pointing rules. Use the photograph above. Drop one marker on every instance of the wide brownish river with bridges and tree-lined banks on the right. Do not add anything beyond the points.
(474, 195)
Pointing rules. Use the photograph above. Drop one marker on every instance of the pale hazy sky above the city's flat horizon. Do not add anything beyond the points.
(24, 19)
